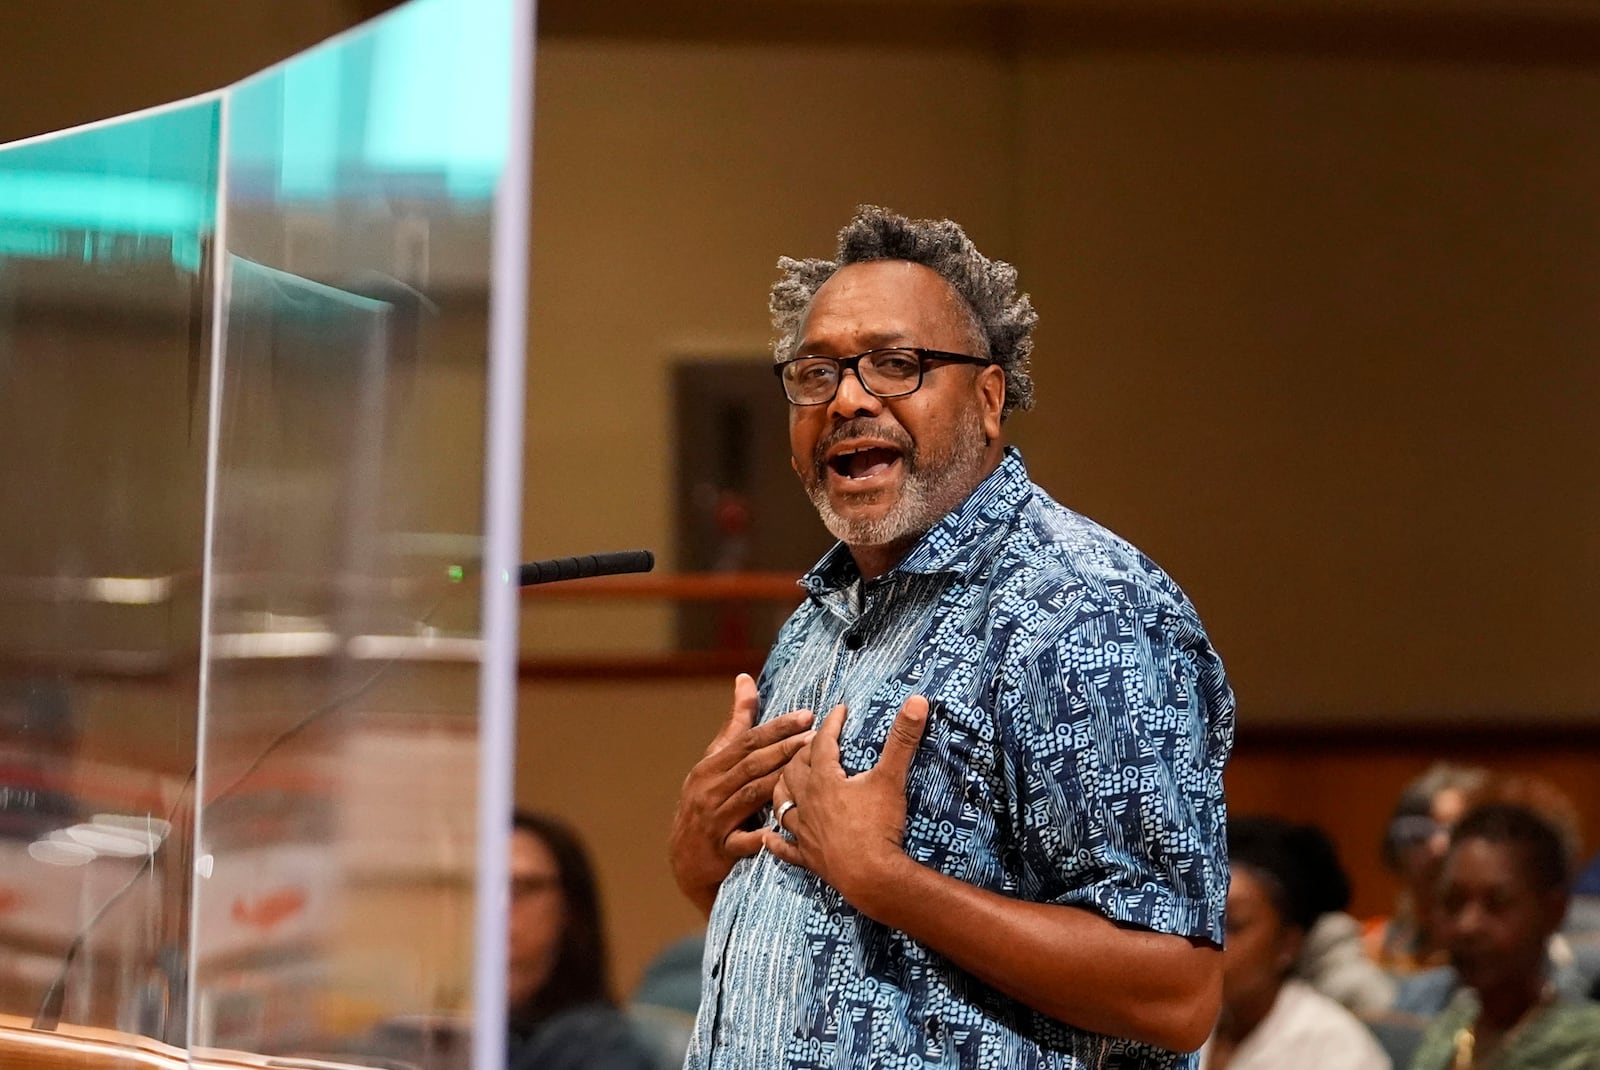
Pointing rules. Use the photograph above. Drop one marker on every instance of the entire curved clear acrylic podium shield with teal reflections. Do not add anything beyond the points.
(260, 449)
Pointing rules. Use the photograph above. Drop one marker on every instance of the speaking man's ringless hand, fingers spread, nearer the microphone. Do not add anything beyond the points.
(727, 786)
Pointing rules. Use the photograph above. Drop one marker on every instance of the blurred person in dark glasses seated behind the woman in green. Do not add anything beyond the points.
(1414, 852)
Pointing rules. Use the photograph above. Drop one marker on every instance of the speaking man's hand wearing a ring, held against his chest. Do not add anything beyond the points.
(849, 829)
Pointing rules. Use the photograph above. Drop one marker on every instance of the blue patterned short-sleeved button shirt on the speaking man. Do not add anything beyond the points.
(1079, 722)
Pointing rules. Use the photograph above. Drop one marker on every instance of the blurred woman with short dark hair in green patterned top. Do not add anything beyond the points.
(1503, 893)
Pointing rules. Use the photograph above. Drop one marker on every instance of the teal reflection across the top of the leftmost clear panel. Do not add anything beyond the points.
(137, 190)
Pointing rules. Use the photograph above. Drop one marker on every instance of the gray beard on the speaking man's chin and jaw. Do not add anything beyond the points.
(934, 487)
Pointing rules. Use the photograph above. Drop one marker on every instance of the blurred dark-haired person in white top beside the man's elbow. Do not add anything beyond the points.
(1284, 879)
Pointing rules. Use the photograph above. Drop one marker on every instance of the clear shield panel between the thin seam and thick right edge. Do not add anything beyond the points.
(340, 740)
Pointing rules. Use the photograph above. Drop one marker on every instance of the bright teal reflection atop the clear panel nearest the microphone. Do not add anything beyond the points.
(415, 102)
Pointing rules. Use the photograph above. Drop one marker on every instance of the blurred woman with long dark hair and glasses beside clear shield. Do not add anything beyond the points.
(562, 1015)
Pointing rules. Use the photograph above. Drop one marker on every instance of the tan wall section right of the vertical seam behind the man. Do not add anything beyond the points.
(1322, 338)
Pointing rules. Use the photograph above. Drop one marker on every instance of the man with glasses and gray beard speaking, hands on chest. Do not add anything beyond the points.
(972, 815)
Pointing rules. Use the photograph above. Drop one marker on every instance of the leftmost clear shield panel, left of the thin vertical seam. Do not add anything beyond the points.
(106, 241)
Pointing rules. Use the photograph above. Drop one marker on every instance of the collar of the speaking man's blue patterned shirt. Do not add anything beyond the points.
(961, 543)
